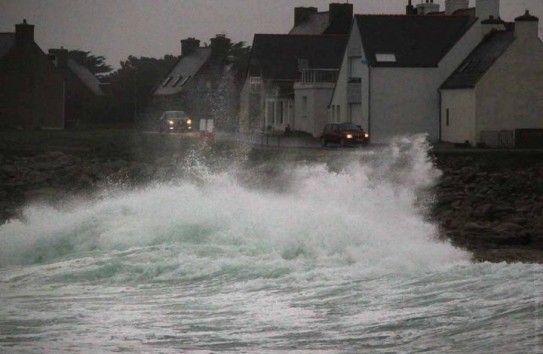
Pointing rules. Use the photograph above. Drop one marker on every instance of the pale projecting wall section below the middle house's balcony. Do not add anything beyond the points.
(311, 116)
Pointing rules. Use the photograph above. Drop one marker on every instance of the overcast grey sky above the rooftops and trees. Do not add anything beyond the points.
(153, 28)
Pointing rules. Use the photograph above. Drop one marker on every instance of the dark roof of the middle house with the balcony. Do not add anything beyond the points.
(276, 56)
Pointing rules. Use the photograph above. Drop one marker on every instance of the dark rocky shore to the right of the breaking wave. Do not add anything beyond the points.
(491, 203)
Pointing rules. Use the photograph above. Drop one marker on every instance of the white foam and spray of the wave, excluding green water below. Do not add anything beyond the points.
(365, 213)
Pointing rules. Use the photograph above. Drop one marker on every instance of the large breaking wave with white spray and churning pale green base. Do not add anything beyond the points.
(363, 212)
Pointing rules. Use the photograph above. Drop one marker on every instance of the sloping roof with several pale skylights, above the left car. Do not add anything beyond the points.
(187, 66)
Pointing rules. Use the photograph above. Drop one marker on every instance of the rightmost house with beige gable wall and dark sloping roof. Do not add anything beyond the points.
(495, 96)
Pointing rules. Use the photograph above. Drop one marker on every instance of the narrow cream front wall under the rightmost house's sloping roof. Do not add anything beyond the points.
(458, 112)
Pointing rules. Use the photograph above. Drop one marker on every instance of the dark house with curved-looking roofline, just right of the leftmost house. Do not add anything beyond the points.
(85, 99)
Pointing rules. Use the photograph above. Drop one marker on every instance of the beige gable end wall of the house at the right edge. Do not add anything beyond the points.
(510, 94)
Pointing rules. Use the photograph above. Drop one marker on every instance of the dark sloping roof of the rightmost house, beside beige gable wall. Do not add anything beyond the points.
(473, 68)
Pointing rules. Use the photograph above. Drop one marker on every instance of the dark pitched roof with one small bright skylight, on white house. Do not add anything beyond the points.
(410, 41)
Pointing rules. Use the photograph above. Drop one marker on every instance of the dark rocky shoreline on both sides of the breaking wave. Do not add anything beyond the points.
(490, 203)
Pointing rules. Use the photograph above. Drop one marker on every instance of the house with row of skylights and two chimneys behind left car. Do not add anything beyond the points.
(202, 83)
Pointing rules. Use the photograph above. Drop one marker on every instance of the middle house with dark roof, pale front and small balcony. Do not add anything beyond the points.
(289, 81)
